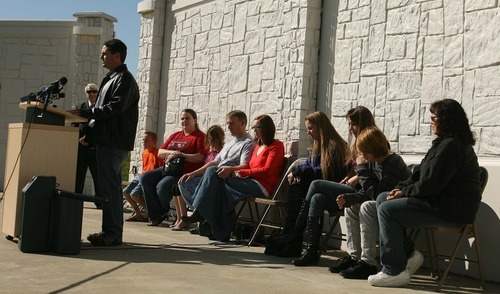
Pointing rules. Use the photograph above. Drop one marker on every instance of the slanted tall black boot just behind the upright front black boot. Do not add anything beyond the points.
(293, 241)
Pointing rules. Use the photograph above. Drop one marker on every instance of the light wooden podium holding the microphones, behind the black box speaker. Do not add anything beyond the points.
(37, 149)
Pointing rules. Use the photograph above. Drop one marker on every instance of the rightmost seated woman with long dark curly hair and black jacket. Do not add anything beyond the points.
(443, 191)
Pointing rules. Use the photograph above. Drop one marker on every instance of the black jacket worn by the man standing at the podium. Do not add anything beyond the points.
(116, 112)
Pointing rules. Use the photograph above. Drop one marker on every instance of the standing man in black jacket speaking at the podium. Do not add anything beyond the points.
(112, 126)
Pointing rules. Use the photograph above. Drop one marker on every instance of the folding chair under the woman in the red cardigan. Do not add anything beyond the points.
(275, 201)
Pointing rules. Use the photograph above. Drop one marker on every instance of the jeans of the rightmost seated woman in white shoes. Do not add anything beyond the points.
(394, 216)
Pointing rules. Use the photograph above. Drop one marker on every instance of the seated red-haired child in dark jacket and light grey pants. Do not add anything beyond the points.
(379, 171)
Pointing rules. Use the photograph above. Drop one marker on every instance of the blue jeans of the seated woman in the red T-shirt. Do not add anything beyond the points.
(157, 192)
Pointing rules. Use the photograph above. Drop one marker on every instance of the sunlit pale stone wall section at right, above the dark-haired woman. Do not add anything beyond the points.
(397, 57)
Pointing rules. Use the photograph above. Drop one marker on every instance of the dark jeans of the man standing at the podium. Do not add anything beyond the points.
(109, 162)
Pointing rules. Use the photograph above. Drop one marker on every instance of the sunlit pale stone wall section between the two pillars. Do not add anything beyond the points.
(257, 56)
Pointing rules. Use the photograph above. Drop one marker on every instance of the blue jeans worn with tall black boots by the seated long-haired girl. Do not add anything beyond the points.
(322, 195)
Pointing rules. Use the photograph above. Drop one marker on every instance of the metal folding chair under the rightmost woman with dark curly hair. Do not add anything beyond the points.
(469, 229)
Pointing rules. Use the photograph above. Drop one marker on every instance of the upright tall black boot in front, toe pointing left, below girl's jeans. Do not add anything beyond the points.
(313, 235)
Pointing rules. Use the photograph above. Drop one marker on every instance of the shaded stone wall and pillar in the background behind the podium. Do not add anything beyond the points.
(37, 53)
